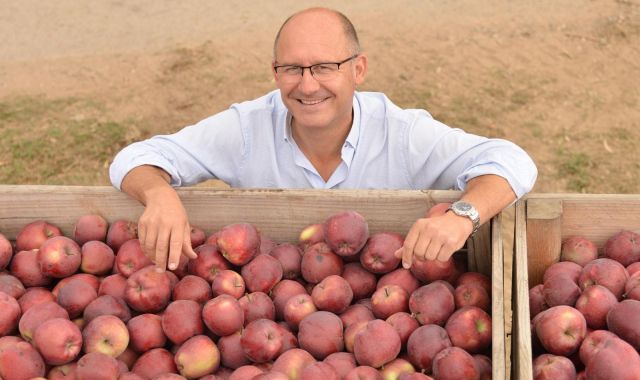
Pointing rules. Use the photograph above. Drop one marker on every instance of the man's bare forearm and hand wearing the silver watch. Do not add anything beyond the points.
(438, 237)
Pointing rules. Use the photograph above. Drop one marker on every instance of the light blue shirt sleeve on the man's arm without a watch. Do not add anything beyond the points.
(212, 148)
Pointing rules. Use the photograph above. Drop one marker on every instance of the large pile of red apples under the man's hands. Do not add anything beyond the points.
(336, 304)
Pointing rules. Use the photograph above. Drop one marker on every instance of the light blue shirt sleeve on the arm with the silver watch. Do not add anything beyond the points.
(453, 157)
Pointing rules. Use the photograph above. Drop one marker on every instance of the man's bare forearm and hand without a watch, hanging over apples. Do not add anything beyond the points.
(163, 227)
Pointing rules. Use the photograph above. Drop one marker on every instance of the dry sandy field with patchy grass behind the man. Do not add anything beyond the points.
(80, 79)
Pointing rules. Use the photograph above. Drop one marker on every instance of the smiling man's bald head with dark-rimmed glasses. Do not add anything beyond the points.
(310, 37)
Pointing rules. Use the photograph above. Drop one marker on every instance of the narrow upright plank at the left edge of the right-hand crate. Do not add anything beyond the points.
(521, 366)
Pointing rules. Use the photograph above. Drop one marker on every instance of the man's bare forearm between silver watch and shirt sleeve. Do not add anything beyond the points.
(489, 194)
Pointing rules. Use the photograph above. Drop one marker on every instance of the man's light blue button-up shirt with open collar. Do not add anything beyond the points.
(250, 146)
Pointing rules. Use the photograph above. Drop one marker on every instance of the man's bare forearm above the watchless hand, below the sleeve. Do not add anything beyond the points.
(144, 182)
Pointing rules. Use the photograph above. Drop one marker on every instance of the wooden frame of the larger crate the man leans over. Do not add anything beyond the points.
(279, 214)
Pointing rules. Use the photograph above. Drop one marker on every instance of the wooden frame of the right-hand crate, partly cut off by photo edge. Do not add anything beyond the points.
(542, 223)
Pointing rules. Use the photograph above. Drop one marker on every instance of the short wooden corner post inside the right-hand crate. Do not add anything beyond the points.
(544, 223)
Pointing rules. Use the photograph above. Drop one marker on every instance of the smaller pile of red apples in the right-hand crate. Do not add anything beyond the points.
(586, 313)
